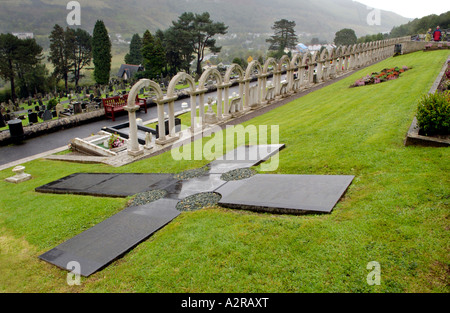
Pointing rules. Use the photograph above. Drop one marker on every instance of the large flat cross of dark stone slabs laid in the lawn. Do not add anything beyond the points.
(103, 243)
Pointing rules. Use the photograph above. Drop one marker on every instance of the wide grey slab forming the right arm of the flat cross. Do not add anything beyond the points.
(290, 194)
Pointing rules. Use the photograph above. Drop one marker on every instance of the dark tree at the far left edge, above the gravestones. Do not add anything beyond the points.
(17, 56)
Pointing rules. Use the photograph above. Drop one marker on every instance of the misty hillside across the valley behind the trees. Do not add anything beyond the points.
(320, 18)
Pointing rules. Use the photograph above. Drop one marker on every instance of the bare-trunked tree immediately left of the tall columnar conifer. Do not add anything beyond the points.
(82, 53)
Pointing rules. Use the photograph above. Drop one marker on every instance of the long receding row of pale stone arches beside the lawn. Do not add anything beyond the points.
(301, 71)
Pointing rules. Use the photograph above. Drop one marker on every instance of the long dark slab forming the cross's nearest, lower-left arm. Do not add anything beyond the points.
(100, 245)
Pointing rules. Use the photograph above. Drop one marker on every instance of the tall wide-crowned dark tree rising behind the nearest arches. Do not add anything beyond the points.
(198, 31)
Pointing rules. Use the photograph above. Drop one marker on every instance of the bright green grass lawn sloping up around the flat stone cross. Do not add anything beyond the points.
(395, 212)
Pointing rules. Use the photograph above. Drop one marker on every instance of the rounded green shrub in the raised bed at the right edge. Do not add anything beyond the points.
(433, 114)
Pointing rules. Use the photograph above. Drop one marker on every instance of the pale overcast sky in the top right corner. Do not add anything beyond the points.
(410, 8)
